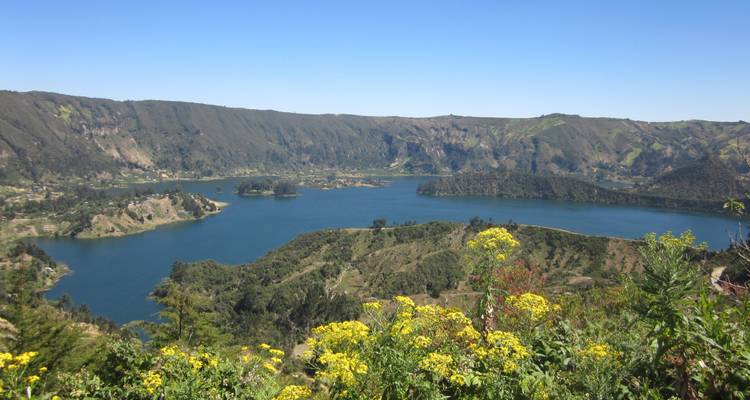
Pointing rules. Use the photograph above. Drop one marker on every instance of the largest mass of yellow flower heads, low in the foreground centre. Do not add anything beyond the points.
(442, 341)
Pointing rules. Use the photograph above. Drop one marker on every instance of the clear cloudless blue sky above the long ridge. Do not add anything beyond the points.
(649, 60)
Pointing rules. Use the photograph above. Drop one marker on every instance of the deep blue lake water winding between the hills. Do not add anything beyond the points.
(114, 276)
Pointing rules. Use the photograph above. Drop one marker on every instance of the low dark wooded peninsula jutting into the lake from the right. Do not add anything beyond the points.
(519, 185)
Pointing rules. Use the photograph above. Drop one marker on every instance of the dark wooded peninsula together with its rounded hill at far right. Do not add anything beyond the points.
(670, 191)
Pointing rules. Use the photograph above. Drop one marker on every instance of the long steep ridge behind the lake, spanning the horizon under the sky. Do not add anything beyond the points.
(47, 134)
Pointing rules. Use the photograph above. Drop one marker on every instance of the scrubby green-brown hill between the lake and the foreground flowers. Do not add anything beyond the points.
(324, 275)
